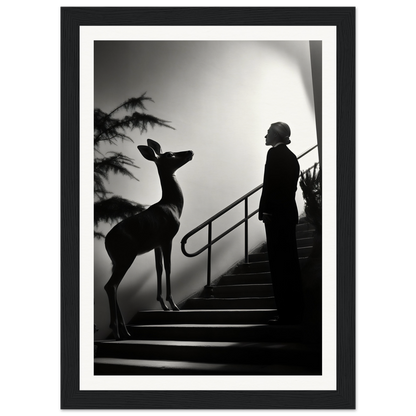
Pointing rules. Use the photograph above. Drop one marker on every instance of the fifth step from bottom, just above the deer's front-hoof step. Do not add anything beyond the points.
(231, 303)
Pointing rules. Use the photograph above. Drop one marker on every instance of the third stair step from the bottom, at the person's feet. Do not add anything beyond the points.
(216, 332)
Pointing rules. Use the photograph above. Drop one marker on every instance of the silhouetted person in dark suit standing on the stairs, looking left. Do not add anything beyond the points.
(279, 213)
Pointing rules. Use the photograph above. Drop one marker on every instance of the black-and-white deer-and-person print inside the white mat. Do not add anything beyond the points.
(228, 102)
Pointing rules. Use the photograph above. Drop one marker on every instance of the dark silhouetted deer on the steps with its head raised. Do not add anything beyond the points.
(151, 229)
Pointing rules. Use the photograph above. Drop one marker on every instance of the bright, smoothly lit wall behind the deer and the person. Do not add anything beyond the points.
(221, 98)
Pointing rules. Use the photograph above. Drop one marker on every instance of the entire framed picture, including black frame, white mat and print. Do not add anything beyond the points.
(208, 79)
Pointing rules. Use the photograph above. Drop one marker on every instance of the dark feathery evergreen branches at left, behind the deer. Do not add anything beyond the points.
(110, 129)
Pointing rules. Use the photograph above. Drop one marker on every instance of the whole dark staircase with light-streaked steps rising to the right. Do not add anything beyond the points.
(220, 331)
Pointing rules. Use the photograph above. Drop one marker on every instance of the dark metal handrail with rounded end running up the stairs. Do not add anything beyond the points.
(208, 223)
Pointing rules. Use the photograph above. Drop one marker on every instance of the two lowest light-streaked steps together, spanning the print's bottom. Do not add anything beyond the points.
(150, 357)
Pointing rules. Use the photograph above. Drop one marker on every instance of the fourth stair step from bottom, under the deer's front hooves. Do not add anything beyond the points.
(208, 316)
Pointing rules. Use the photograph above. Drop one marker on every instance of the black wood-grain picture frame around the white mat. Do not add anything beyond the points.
(346, 399)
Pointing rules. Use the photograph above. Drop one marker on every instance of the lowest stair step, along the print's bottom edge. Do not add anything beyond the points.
(121, 366)
